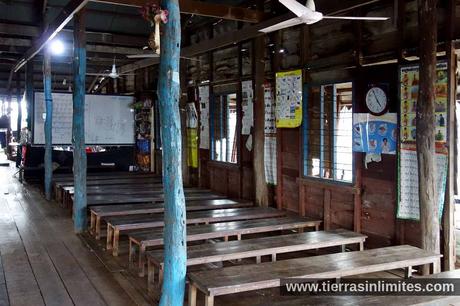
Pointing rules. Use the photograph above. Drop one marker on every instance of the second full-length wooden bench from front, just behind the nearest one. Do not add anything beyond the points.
(239, 249)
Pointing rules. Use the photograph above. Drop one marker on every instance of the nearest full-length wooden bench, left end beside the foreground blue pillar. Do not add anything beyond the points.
(268, 275)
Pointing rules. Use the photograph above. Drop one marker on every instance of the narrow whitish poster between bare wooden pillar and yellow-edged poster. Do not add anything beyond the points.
(270, 136)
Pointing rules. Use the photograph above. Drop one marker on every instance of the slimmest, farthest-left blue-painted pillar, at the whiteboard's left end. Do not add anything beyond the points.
(48, 123)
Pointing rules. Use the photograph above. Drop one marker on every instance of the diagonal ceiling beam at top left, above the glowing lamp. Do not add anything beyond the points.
(64, 17)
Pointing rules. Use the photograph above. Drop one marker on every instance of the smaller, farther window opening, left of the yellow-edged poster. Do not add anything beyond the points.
(224, 123)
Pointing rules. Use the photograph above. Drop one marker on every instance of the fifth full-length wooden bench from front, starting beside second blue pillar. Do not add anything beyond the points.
(98, 213)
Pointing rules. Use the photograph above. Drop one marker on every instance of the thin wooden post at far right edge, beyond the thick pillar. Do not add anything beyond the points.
(449, 206)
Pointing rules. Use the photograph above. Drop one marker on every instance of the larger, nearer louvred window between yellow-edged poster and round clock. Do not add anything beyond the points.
(328, 132)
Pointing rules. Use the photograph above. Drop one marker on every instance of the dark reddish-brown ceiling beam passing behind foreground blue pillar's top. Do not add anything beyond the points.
(202, 9)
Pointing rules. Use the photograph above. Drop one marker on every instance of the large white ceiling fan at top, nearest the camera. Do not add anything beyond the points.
(307, 14)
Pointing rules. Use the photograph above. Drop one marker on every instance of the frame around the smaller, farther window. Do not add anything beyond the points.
(213, 97)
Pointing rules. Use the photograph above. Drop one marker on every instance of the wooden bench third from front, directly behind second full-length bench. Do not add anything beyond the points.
(154, 237)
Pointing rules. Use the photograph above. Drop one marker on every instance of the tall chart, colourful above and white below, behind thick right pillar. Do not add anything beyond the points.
(408, 203)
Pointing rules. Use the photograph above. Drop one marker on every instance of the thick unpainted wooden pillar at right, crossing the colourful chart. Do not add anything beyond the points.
(429, 217)
